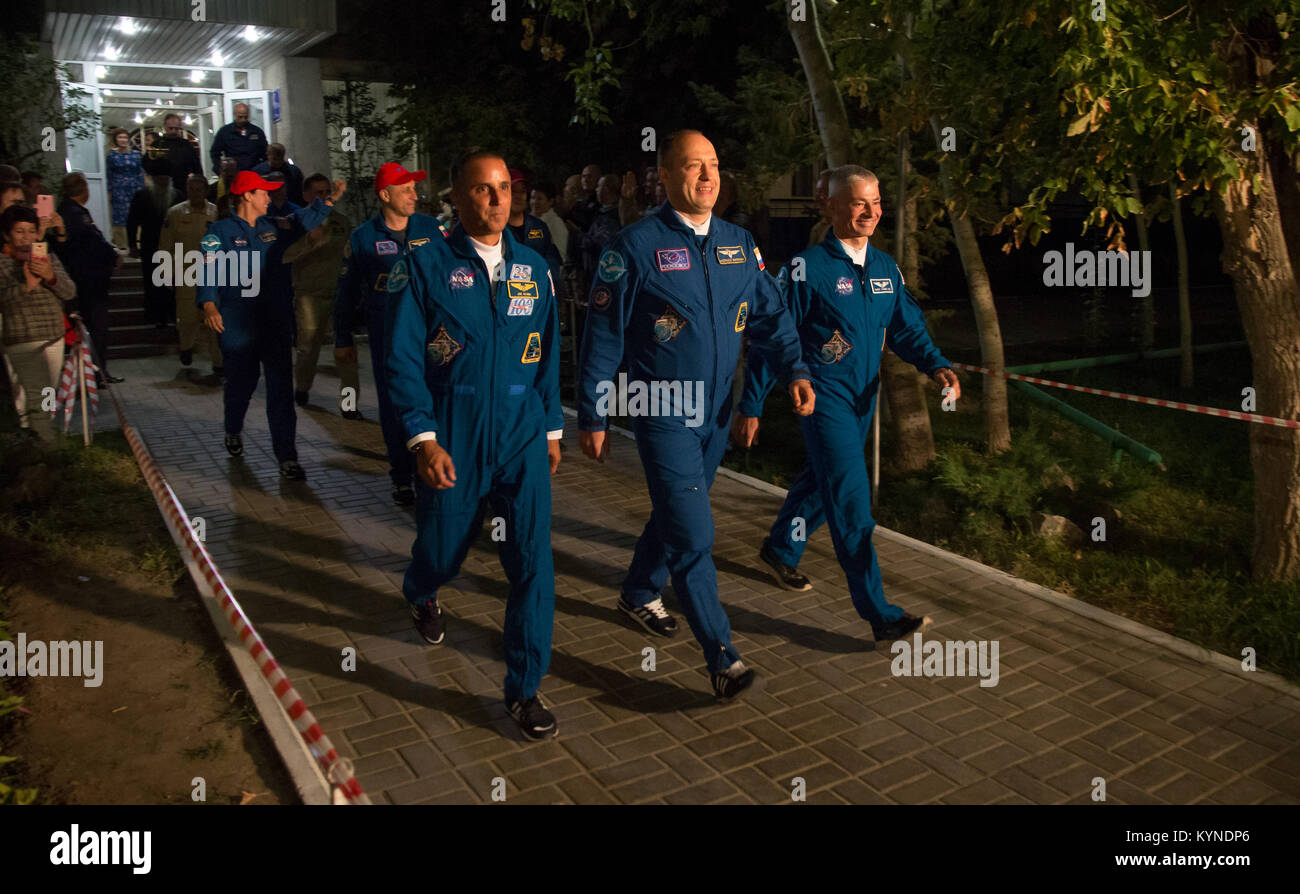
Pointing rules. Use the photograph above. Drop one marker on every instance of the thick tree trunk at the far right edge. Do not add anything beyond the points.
(1256, 257)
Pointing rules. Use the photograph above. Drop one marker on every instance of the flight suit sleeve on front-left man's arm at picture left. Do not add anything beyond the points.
(408, 327)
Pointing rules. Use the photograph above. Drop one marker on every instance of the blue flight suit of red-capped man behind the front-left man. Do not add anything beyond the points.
(369, 259)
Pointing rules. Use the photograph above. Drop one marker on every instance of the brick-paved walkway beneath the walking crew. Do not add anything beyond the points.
(318, 567)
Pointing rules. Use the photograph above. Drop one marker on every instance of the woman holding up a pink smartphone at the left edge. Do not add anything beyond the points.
(34, 290)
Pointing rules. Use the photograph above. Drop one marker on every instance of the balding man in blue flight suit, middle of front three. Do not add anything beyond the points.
(673, 296)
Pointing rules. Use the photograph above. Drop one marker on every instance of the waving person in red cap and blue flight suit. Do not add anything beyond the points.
(246, 298)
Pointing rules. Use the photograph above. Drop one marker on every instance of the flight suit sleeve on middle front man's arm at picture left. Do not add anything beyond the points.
(610, 309)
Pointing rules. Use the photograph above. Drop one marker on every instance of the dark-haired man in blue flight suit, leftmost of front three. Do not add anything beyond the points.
(474, 376)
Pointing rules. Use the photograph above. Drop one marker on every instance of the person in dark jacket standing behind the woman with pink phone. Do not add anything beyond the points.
(90, 261)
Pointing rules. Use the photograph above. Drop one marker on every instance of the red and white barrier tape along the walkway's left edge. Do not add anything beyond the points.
(337, 769)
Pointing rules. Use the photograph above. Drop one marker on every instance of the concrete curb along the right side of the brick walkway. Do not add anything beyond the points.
(1039, 592)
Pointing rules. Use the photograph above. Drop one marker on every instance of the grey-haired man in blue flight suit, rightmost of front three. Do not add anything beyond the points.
(848, 301)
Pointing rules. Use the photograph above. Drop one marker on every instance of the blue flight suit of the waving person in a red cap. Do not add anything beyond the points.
(259, 329)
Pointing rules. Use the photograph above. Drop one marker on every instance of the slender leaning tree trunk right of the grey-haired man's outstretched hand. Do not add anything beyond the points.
(996, 420)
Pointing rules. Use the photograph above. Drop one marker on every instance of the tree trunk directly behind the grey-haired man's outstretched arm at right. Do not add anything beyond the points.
(904, 387)
